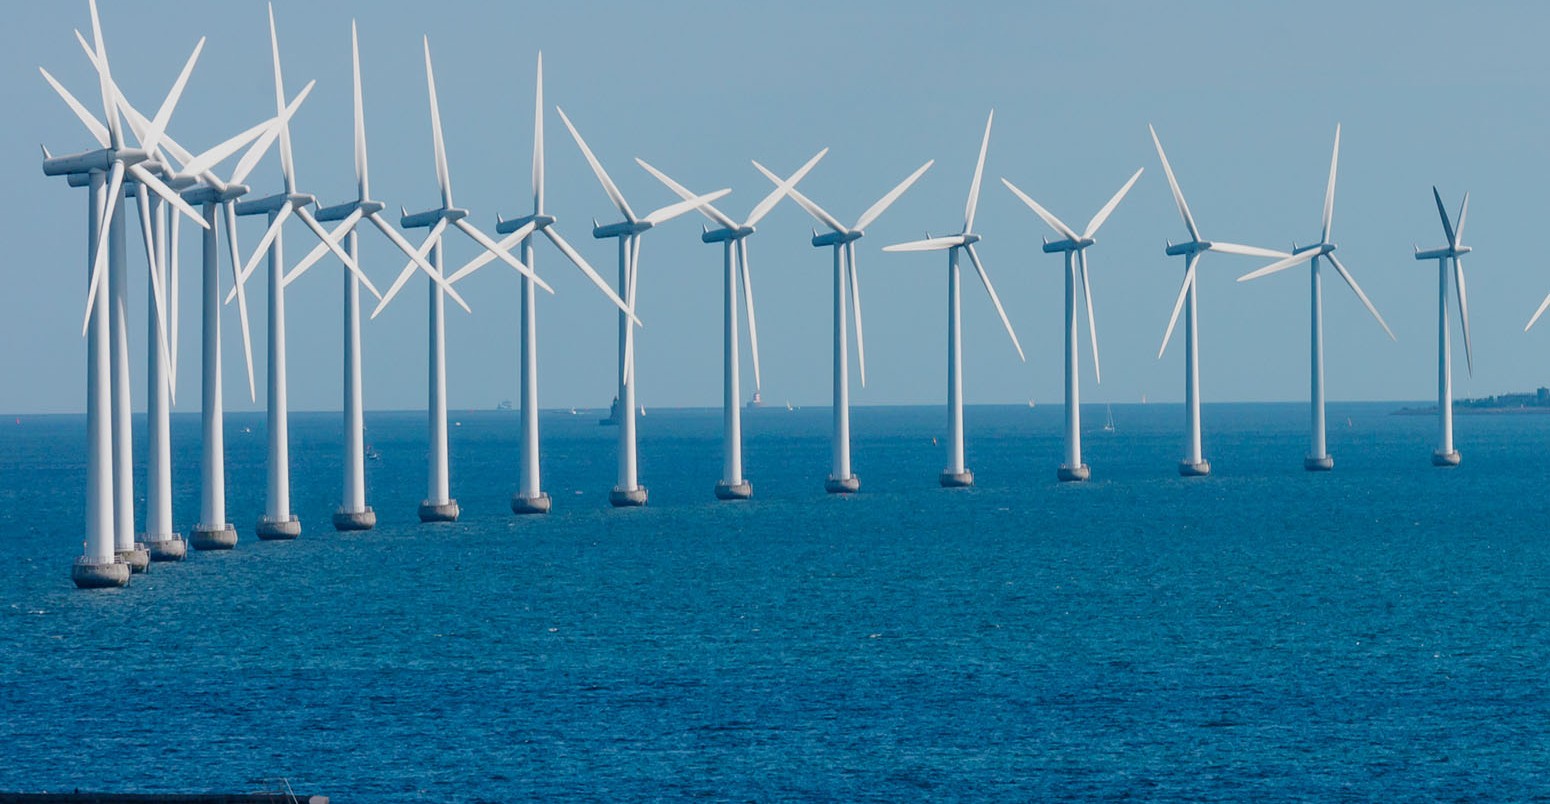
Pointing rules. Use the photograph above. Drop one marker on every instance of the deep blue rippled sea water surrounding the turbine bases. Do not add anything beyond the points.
(1376, 633)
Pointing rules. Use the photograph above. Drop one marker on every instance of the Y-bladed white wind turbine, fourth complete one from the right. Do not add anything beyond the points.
(1075, 249)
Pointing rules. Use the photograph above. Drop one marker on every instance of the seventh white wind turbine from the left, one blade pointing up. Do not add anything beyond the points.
(439, 506)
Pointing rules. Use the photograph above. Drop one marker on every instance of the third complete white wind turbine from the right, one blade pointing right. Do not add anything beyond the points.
(1194, 464)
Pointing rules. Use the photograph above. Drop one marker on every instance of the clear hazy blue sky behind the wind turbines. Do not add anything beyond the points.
(1245, 98)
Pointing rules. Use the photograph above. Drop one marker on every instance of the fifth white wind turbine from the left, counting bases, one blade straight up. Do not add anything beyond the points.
(278, 521)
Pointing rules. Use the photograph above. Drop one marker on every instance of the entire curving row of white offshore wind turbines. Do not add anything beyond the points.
(168, 182)
